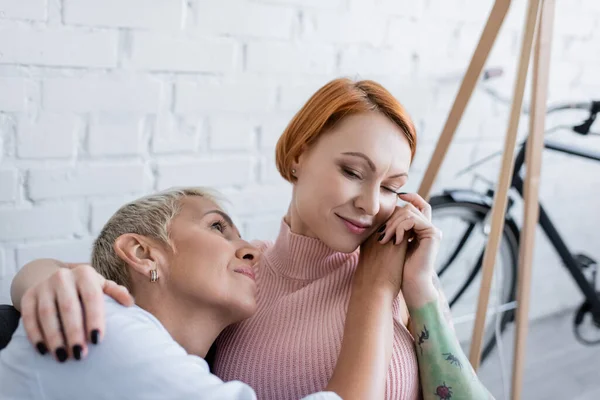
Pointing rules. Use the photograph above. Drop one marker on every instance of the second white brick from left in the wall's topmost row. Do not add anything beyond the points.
(157, 14)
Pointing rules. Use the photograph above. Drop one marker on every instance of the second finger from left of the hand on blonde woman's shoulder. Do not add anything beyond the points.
(49, 321)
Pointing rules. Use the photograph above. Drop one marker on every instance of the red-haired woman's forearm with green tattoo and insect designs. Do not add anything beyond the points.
(441, 358)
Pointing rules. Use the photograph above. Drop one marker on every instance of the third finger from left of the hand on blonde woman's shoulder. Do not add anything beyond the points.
(71, 316)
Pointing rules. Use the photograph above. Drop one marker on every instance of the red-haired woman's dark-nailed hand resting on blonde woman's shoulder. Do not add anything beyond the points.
(61, 311)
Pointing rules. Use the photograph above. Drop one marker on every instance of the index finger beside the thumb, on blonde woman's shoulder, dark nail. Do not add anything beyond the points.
(92, 297)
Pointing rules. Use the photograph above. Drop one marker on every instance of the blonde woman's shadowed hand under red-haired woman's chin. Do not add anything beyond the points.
(380, 266)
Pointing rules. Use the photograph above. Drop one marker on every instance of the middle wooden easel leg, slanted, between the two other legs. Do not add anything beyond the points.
(501, 195)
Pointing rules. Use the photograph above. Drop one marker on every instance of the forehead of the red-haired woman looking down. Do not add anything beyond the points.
(374, 134)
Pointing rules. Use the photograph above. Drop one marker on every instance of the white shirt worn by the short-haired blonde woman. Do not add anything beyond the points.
(137, 359)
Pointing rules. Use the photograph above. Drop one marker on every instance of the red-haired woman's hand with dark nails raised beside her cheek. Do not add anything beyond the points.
(412, 222)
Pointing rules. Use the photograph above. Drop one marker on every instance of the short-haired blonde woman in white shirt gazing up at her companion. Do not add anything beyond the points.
(179, 254)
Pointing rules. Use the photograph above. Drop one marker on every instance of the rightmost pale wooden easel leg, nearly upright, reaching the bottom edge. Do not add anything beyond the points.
(533, 163)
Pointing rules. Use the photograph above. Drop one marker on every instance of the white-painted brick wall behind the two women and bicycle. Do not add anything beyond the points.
(103, 101)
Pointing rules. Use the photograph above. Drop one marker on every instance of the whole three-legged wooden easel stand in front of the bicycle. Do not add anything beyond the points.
(538, 24)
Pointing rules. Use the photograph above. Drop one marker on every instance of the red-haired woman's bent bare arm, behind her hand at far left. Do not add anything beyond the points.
(31, 274)
